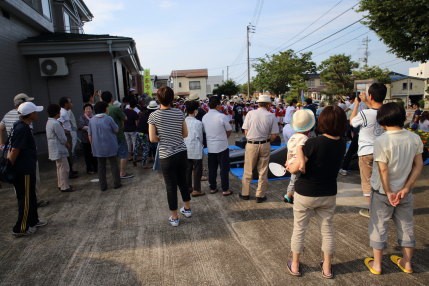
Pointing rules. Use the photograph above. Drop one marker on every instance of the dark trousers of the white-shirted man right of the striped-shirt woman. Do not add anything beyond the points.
(219, 159)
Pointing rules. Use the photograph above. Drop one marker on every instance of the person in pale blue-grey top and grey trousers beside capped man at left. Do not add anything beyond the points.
(57, 146)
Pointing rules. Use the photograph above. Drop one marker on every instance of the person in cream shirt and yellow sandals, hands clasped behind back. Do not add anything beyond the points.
(398, 157)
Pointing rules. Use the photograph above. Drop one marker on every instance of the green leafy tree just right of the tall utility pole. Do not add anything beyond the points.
(275, 73)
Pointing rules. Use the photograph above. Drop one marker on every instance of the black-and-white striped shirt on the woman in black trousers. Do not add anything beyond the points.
(168, 123)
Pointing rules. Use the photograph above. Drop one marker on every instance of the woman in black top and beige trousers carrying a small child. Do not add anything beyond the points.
(316, 189)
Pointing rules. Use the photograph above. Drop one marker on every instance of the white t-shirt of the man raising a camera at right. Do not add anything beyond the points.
(369, 130)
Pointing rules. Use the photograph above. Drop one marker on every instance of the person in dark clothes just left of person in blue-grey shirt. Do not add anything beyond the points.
(90, 160)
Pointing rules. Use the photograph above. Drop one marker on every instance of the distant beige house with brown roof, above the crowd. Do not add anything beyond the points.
(186, 82)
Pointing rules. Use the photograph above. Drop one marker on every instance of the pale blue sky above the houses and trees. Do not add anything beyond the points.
(188, 34)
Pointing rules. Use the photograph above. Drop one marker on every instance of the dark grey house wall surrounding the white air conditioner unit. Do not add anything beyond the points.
(48, 90)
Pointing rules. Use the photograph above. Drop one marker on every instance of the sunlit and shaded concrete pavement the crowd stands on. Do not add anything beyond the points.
(122, 237)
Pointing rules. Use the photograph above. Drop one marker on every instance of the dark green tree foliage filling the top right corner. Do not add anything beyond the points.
(402, 25)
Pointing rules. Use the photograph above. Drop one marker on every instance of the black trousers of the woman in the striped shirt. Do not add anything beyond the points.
(174, 172)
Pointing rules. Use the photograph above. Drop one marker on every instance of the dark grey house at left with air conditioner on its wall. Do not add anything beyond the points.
(45, 54)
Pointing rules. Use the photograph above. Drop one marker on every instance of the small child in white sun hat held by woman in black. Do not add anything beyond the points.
(302, 122)
